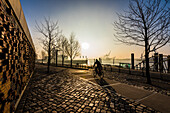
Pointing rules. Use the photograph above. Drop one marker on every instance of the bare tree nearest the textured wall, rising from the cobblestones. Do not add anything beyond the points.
(50, 31)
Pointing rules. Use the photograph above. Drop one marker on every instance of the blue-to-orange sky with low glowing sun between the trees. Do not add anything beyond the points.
(90, 20)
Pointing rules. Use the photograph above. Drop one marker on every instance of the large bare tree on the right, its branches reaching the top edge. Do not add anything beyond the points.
(146, 24)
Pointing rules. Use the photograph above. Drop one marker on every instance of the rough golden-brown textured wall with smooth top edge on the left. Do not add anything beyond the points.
(17, 54)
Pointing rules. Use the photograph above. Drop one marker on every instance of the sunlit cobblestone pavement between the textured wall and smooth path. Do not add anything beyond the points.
(62, 92)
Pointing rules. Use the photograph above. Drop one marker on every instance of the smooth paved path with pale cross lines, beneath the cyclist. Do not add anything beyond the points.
(154, 100)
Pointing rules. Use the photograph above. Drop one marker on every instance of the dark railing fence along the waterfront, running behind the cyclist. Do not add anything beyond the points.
(159, 67)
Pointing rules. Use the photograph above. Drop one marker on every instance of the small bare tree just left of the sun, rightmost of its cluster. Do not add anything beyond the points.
(72, 48)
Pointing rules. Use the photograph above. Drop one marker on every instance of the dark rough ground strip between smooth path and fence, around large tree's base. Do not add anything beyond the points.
(158, 85)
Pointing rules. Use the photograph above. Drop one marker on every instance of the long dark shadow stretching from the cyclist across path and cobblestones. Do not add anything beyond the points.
(115, 99)
